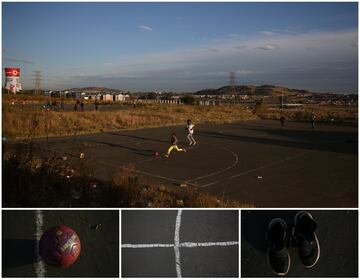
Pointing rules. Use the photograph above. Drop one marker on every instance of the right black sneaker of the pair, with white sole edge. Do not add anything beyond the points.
(306, 239)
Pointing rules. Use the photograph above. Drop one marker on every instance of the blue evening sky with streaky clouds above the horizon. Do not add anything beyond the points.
(183, 46)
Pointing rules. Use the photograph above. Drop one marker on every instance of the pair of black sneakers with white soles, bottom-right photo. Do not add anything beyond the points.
(303, 236)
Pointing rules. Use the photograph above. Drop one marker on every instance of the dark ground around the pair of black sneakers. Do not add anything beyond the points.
(337, 234)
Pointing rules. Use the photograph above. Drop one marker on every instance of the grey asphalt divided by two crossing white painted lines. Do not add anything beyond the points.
(159, 226)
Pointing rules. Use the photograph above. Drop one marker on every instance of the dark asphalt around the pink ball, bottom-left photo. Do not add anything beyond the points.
(99, 255)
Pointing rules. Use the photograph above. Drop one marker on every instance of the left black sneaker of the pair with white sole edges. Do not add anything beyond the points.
(278, 251)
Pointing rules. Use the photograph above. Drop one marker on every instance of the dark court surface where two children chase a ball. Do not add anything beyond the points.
(258, 163)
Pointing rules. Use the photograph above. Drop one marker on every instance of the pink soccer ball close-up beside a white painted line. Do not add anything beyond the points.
(59, 246)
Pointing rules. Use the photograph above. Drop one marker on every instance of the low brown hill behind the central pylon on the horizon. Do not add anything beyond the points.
(267, 90)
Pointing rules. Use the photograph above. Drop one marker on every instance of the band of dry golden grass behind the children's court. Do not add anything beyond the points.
(41, 123)
